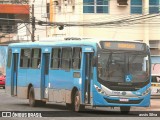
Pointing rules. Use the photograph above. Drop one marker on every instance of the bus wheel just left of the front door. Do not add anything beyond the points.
(77, 106)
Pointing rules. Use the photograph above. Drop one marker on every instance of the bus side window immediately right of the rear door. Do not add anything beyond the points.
(25, 58)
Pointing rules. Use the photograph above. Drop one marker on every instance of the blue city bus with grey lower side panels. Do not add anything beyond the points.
(86, 72)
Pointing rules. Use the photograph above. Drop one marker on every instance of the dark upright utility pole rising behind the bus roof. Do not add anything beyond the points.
(33, 24)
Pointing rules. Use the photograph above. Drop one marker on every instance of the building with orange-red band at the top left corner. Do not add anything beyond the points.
(13, 14)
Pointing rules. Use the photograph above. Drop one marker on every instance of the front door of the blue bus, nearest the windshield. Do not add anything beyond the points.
(88, 77)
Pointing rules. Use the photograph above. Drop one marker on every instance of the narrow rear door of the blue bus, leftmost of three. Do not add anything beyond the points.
(14, 74)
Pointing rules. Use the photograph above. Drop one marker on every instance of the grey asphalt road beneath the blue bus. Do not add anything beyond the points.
(58, 111)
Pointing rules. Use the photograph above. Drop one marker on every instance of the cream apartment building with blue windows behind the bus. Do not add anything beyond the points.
(110, 19)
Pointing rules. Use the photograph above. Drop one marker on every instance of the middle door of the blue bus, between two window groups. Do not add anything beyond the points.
(45, 75)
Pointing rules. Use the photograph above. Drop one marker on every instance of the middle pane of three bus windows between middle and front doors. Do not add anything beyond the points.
(66, 58)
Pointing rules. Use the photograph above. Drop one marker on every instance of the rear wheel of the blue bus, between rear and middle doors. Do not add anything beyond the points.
(32, 101)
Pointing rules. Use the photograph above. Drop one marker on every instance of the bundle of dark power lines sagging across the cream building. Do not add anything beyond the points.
(112, 23)
